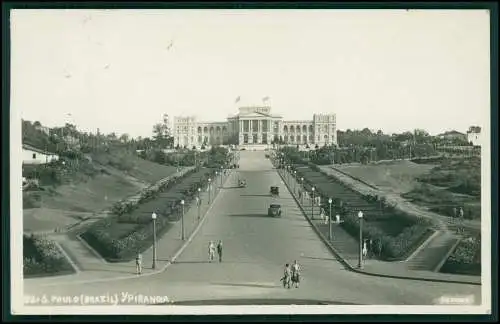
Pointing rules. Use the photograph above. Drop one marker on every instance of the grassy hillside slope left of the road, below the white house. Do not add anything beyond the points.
(113, 176)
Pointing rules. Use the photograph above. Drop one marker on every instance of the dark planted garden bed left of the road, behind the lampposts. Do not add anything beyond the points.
(119, 237)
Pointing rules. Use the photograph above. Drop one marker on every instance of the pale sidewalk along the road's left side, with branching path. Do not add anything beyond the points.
(92, 267)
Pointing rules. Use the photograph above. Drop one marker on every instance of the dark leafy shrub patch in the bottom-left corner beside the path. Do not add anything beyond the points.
(42, 257)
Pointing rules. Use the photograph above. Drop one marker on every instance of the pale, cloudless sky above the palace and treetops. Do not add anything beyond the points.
(121, 70)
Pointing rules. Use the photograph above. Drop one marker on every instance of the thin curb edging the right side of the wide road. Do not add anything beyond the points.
(355, 269)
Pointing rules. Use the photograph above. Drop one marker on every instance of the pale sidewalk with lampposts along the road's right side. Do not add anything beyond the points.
(346, 249)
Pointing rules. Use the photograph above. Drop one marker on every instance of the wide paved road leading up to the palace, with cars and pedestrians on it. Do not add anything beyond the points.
(256, 248)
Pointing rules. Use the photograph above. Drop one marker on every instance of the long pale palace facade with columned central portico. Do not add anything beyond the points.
(255, 125)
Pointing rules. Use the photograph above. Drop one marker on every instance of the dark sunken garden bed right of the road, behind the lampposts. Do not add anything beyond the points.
(400, 233)
